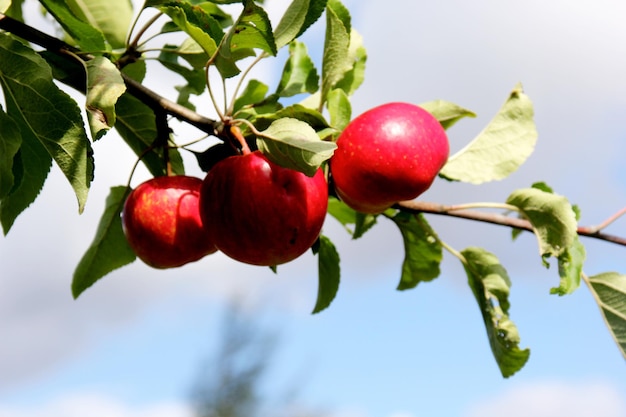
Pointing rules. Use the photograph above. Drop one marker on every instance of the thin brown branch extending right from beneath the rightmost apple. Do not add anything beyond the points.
(495, 218)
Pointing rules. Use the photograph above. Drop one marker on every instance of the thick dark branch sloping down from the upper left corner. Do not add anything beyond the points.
(138, 90)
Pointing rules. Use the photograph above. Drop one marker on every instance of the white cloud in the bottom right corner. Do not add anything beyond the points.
(554, 399)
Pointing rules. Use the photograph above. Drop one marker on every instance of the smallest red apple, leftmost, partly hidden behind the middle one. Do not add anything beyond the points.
(162, 223)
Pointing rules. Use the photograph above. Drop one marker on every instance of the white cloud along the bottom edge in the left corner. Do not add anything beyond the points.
(93, 405)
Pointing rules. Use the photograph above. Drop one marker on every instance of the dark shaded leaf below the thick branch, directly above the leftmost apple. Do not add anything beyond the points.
(136, 125)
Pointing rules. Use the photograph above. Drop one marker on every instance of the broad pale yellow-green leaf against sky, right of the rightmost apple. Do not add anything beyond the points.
(500, 148)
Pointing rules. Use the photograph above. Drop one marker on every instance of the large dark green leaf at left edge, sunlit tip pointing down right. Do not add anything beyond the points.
(27, 81)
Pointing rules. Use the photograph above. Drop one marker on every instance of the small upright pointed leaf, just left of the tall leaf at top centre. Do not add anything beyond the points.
(299, 74)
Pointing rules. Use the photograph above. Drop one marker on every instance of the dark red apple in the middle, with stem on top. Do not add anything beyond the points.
(260, 213)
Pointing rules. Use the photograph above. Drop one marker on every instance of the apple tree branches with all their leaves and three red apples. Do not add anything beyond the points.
(279, 161)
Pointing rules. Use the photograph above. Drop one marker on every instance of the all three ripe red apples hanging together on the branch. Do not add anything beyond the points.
(260, 213)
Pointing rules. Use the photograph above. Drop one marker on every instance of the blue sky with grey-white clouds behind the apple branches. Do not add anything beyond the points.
(130, 346)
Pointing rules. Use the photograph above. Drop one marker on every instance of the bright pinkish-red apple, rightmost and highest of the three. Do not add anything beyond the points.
(390, 153)
